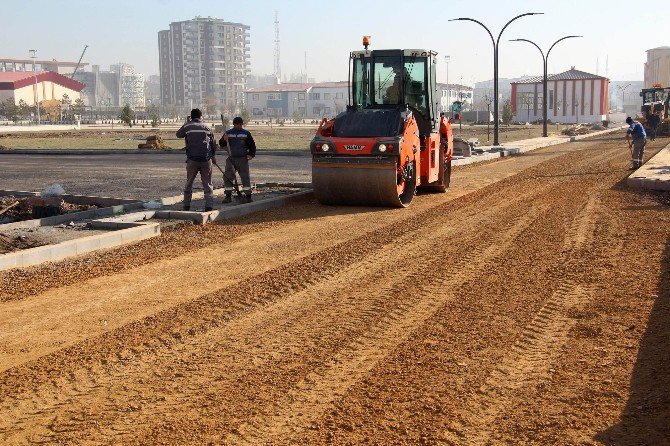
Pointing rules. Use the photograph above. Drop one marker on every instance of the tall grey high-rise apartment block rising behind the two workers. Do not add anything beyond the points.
(204, 62)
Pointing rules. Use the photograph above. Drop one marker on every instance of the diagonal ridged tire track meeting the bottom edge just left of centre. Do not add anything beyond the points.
(316, 392)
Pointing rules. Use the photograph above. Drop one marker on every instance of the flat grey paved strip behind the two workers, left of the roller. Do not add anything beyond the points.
(141, 176)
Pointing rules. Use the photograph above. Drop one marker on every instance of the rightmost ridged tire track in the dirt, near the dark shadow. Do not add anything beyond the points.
(530, 358)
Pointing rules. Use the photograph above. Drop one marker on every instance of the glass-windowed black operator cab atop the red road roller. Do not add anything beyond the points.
(396, 80)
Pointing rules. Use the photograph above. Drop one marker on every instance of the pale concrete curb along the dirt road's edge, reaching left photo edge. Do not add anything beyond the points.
(35, 256)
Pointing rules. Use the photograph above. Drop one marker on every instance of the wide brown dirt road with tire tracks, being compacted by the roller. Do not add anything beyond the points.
(529, 305)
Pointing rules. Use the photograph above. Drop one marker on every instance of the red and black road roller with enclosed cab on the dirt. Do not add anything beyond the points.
(391, 142)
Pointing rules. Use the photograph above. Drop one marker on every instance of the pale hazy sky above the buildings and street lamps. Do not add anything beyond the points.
(126, 31)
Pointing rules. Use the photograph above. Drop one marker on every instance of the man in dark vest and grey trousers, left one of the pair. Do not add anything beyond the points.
(200, 154)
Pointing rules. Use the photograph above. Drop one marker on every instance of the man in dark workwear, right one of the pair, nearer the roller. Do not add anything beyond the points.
(241, 149)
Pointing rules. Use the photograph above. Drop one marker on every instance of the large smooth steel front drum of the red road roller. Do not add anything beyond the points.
(361, 182)
